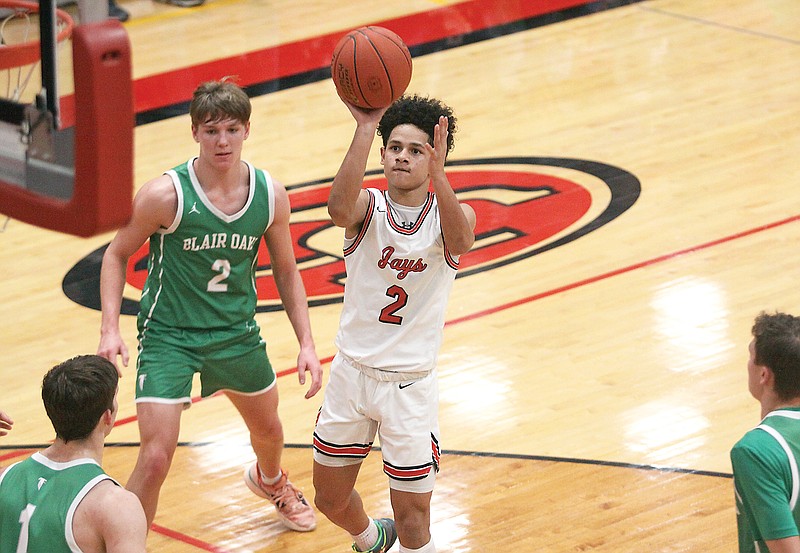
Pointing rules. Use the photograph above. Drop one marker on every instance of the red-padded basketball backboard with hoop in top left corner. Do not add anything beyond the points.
(66, 162)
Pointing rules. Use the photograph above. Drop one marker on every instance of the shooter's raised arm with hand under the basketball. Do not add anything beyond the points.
(347, 202)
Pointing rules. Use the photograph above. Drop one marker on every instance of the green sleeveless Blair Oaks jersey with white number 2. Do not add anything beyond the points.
(201, 272)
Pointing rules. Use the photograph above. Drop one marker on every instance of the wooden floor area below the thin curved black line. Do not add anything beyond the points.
(515, 503)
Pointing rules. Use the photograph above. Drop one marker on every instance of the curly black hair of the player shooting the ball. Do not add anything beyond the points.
(422, 112)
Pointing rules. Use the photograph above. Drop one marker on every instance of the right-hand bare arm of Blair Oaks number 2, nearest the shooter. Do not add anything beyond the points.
(291, 289)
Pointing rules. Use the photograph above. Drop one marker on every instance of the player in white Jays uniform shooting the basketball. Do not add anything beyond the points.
(401, 252)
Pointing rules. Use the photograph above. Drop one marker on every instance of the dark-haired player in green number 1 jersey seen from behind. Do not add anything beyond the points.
(59, 500)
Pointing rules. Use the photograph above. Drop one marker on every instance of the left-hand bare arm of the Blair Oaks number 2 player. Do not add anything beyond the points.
(154, 207)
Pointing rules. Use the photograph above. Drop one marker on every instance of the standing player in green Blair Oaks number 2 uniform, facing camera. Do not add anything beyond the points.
(204, 220)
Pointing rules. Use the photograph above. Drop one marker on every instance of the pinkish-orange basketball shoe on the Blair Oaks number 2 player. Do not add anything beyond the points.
(292, 508)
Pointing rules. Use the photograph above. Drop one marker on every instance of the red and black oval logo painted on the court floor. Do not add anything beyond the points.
(524, 206)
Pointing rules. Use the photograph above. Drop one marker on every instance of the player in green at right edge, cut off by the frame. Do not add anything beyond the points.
(765, 460)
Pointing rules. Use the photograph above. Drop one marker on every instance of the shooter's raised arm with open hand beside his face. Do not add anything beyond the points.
(458, 220)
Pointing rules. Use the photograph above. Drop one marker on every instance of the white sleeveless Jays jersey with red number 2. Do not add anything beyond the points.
(399, 276)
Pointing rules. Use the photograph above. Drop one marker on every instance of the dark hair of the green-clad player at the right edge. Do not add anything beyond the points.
(777, 346)
